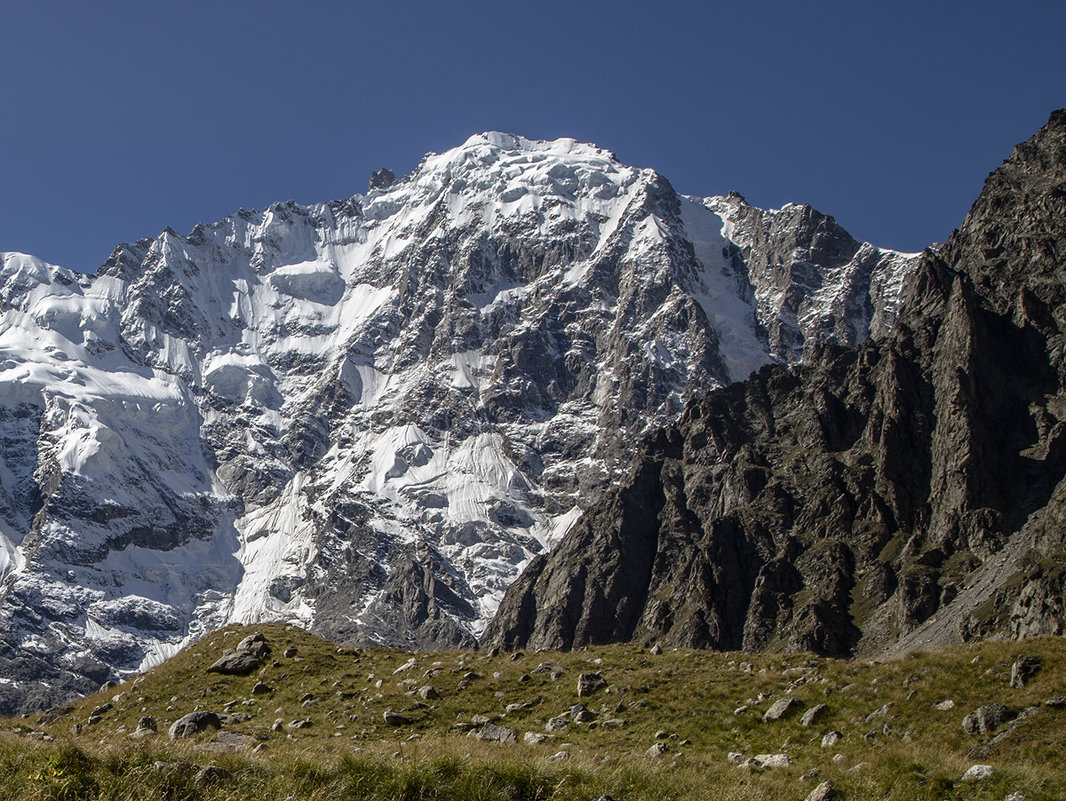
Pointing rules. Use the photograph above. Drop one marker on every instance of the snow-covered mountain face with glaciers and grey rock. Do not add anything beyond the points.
(367, 416)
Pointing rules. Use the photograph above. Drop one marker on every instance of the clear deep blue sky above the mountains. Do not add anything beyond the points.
(120, 119)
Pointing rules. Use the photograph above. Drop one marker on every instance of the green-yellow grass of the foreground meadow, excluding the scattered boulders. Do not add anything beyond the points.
(689, 698)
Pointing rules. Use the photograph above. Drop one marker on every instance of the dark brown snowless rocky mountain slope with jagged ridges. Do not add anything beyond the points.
(908, 493)
